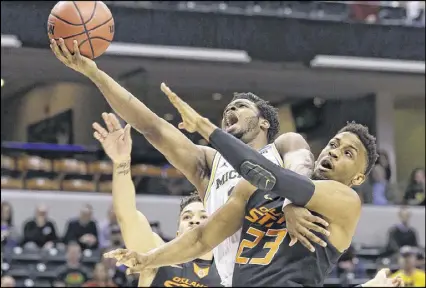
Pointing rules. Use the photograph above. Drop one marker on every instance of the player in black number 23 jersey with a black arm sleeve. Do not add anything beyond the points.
(263, 259)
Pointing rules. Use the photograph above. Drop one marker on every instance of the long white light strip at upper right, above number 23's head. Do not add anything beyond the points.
(370, 64)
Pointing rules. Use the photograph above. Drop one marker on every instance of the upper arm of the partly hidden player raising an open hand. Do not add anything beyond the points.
(137, 233)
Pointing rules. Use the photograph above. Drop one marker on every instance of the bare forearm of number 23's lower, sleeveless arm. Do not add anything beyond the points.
(182, 249)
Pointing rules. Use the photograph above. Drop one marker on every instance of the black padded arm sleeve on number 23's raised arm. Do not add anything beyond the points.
(261, 172)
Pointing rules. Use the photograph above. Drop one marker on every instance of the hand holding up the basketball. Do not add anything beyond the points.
(75, 61)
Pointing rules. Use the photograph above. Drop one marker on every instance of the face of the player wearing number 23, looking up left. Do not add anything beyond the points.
(344, 159)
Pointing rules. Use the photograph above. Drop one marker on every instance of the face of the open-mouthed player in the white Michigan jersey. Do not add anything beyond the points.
(242, 119)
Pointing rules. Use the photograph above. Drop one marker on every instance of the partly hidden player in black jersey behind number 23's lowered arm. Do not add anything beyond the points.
(135, 228)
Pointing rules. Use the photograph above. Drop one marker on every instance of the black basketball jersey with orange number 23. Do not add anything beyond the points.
(264, 257)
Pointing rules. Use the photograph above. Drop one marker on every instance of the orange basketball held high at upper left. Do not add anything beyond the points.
(89, 22)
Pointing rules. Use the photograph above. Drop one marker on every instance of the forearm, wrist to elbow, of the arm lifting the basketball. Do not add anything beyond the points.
(124, 103)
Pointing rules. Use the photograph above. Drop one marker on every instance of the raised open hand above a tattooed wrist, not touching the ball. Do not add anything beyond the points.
(115, 140)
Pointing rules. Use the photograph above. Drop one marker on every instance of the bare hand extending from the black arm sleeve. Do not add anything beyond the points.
(190, 117)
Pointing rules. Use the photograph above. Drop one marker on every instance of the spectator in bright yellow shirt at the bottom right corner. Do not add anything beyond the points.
(412, 276)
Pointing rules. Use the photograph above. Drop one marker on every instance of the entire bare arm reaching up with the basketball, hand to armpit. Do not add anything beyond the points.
(190, 159)
